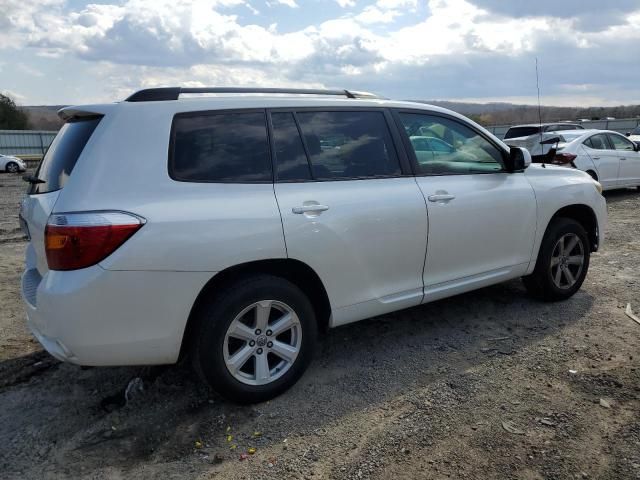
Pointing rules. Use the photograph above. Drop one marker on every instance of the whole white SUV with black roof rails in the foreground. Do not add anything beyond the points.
(232, 228)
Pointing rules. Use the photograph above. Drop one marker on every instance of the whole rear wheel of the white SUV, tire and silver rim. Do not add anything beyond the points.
(255, 339)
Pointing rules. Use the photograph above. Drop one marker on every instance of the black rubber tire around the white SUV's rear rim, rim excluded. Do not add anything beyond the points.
(216, 315)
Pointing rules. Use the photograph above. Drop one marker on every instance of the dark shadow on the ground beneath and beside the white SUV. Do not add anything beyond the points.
(65, 424)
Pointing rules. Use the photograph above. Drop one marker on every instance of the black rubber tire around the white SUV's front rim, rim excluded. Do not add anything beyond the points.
(540, 283)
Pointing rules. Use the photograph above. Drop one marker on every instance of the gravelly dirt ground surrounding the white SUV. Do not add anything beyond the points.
(487, 385)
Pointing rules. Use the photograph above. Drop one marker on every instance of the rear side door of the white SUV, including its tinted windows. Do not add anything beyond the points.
(349, 209)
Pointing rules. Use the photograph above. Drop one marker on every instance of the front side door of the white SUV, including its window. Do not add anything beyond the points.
(482, 220)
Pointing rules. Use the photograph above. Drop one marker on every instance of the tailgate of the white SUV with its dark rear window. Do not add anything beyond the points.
(48, 180)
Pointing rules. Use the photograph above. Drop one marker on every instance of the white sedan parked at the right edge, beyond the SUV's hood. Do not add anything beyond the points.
(609, 157)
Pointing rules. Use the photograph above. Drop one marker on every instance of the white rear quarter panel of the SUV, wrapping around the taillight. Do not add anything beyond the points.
(190, 226)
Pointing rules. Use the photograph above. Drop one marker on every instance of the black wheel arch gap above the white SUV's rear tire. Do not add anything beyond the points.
(295, 271)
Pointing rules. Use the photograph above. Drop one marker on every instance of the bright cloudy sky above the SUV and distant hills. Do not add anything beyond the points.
(74, 51)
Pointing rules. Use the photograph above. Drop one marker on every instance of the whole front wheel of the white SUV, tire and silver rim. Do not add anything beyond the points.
(562, 262)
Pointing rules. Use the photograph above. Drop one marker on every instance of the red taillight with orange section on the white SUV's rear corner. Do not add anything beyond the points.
(79, 240)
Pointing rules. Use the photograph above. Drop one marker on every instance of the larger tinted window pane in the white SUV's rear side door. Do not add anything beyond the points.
(348, 144)
